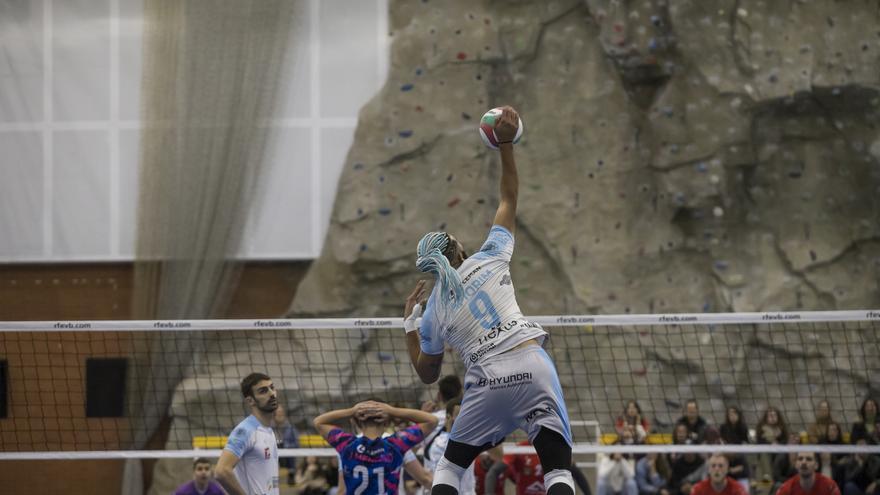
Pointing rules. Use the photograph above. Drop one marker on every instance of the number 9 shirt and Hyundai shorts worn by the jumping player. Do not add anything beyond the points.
(504, 388)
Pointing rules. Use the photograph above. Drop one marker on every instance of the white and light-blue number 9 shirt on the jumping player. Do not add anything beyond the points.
(489, 321)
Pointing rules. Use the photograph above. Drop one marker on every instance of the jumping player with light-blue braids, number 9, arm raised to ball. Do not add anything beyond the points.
(510, 381)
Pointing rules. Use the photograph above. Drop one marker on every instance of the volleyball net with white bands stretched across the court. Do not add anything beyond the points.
(107, 389)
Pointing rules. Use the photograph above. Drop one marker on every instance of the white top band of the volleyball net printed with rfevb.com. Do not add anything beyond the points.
(397, 322)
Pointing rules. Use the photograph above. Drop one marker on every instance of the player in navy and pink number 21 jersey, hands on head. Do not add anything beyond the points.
(370, 463)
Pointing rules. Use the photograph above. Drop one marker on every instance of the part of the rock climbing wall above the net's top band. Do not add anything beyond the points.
(678, 156)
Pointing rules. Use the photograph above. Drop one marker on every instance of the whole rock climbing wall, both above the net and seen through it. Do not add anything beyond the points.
(679, 156)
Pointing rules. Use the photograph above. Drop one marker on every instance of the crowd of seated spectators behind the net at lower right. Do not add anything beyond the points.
(761, 473)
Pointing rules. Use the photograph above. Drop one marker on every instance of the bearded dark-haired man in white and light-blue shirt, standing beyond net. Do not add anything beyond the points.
(249, 463)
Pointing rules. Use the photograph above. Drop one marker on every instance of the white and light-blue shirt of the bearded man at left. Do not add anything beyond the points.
(257, 452)
